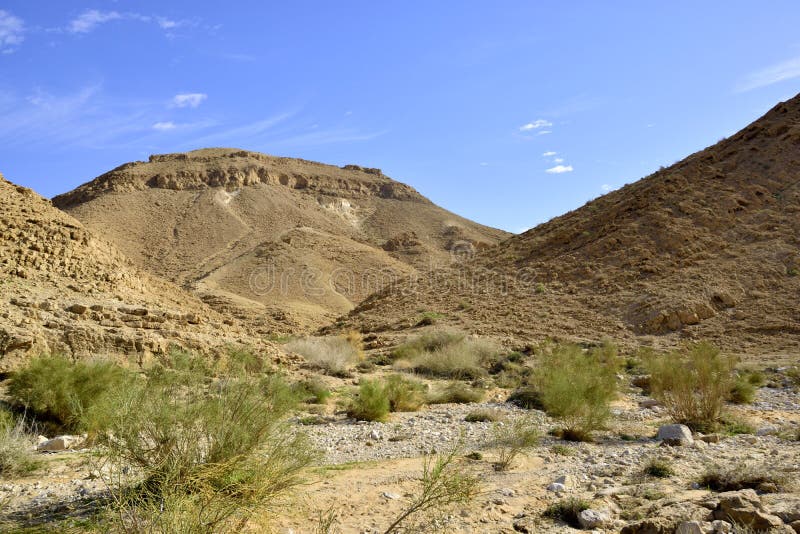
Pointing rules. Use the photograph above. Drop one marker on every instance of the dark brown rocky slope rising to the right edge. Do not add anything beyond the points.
(709, 247)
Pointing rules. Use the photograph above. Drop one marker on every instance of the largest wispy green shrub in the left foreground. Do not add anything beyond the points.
(197, 459)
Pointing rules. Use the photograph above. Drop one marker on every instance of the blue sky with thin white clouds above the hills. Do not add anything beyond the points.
(508, 113)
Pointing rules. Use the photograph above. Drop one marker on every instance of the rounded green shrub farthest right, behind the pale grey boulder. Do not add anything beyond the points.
(693, 384)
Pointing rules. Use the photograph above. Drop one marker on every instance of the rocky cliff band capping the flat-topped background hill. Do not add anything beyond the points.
(233, 169)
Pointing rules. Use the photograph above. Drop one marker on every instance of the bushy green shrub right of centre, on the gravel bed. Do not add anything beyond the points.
(577, 388)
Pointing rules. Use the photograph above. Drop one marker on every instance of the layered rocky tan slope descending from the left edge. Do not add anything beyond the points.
(64, 290)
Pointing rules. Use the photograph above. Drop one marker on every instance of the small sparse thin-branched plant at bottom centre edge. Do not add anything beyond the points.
(443, 483)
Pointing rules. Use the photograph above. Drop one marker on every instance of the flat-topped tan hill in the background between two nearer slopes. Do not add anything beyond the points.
(280, 242)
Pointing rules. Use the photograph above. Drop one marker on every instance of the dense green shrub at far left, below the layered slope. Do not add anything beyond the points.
(58, 390)
